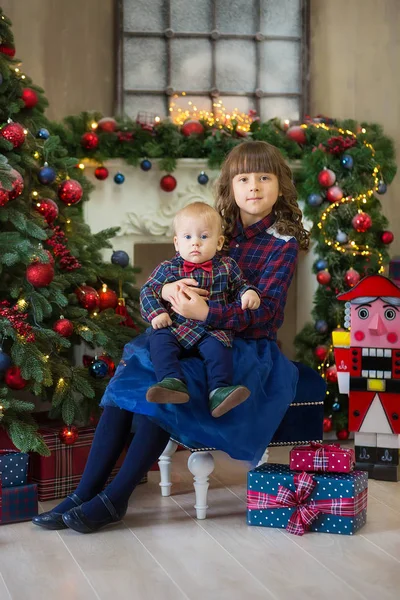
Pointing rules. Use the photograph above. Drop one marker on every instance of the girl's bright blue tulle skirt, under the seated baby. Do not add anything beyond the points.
(245, 431)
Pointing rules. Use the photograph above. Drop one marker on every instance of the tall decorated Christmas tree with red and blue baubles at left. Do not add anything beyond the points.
(55, 289)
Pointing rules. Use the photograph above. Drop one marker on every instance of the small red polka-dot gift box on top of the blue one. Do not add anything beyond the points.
(315, 457)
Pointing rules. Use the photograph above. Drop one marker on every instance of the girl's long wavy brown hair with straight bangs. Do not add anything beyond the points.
(260, 157)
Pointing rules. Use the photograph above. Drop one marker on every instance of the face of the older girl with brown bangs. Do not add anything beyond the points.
(255, 195)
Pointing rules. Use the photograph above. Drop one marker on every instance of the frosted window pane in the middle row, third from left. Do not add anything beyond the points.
(236, 66)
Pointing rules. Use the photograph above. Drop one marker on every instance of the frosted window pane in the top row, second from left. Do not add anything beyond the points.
(191, 16)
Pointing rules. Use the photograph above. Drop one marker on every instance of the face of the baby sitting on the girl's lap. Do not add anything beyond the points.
(197, 239)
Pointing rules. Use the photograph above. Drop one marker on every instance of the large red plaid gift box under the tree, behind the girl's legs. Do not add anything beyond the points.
(59, 474)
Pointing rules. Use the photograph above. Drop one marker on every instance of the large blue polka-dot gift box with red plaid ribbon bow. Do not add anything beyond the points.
(329, 503)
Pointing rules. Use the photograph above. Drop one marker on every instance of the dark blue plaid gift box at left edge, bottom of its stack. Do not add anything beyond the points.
(19, 503)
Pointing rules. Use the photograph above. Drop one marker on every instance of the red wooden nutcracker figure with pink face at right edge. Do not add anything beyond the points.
(368, 365)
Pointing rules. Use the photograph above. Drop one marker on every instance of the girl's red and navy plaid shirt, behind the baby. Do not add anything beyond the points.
(267, 260)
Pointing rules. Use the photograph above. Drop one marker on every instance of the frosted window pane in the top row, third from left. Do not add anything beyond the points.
(237, 16)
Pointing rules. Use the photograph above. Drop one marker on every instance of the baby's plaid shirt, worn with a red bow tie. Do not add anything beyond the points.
(225, 284)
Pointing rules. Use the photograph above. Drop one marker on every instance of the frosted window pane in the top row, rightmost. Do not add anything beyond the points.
(281, 17)
